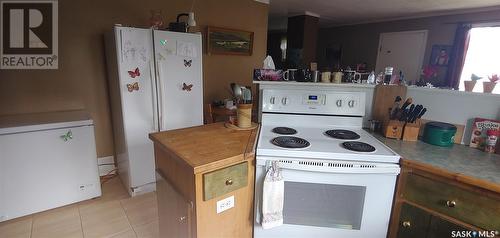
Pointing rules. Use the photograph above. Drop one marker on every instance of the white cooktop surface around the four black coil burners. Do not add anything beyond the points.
(312, 128)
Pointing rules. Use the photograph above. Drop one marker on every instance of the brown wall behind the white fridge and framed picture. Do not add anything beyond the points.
(80, 82)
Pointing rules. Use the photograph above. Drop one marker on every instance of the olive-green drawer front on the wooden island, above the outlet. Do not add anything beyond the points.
(225, 180)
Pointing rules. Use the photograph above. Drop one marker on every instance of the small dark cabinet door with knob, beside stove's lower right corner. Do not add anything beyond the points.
(413, 222)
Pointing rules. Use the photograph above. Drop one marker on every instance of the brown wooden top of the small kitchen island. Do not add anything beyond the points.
(208, 146)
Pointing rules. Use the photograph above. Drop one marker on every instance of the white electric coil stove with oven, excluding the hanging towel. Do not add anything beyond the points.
(334, 187)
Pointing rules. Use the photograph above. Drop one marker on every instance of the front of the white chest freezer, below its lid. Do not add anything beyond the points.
(40, 170)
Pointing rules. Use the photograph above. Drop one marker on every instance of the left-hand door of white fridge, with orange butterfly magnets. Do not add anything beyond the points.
(138, 103)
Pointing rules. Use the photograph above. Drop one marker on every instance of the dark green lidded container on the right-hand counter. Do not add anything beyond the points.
(439, 133)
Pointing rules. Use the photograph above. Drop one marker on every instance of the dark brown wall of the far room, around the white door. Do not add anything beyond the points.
(360, 42)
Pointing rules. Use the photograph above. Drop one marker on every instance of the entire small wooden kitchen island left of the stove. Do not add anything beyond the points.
(201, 171)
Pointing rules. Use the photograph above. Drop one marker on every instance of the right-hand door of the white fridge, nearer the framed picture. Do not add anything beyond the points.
(179, 74)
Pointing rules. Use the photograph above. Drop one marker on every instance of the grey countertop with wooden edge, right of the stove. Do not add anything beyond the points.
(467, 164)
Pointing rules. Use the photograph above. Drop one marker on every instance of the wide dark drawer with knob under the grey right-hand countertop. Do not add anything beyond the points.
(468, 206)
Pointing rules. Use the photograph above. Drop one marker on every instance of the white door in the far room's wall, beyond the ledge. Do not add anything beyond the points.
(404, 51)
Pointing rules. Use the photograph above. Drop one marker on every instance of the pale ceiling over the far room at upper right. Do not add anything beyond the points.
(343, 12)
